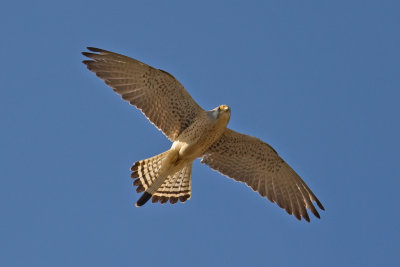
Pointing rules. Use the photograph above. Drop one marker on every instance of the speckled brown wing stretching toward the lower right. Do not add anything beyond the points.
(250, 160)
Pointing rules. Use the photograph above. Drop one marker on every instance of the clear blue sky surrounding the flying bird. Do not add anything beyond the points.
(317, 80)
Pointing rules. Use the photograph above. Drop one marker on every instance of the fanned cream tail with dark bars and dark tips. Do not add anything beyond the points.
(149, 177)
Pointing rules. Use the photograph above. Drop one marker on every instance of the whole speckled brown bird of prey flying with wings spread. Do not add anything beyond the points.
(196, 133)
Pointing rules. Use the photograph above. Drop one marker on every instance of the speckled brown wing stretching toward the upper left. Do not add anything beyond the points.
(161, 98)
